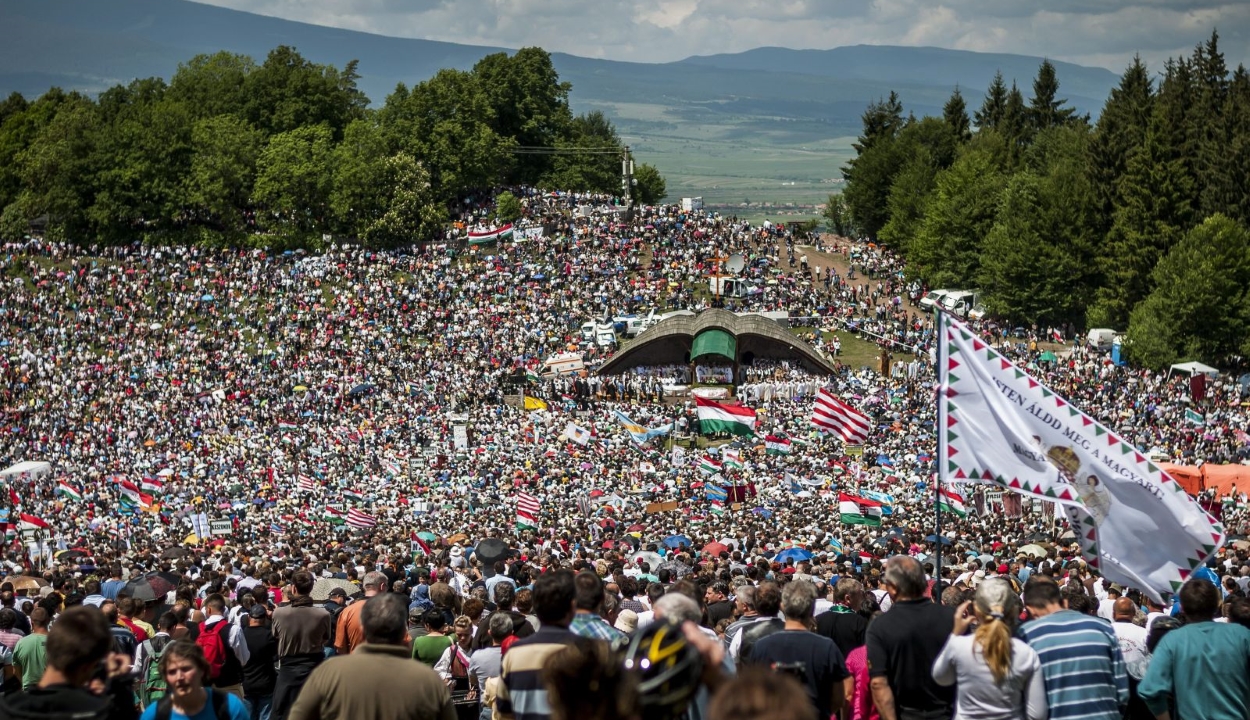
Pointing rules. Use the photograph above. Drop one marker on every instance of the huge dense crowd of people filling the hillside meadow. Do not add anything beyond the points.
(259, 461)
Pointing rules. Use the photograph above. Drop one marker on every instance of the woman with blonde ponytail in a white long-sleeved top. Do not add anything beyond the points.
(998, 677)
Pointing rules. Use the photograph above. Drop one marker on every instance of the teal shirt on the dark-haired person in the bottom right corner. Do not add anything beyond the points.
(1206, 668)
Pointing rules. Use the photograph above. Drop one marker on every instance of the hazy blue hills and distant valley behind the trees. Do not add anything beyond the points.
(766, 126)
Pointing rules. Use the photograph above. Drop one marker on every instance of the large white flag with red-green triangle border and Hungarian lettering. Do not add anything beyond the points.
(1134, 524)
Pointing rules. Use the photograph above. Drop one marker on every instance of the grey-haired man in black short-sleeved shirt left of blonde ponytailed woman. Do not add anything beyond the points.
(903, 646)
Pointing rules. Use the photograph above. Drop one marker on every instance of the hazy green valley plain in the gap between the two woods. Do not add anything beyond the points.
(752, 167)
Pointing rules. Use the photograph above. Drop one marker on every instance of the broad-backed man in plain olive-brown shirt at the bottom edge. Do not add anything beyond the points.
(377, 682)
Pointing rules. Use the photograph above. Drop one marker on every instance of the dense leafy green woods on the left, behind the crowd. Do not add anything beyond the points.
(287, 153)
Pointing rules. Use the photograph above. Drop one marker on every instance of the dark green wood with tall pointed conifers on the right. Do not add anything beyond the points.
(1137, 222)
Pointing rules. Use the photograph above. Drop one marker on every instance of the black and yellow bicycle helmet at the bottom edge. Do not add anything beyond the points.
(668, 669)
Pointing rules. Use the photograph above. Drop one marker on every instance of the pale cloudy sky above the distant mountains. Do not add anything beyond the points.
(1104, 33)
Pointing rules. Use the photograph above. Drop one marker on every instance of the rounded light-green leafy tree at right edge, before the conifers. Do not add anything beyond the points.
(1199, 308)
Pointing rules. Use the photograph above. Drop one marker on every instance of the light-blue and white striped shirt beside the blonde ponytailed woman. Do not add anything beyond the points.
(1081, 664)
